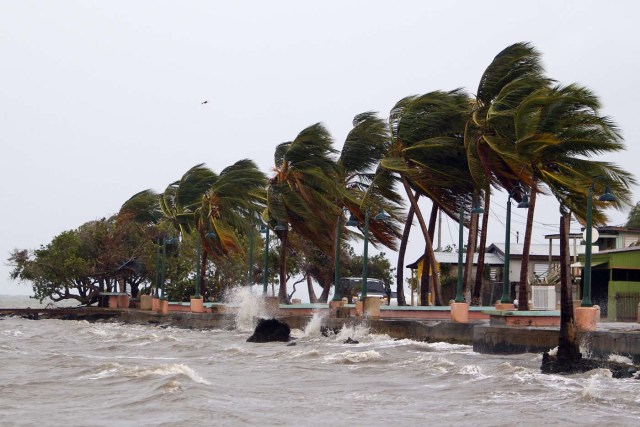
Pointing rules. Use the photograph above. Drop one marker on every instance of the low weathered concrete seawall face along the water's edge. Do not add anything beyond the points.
(620, 338)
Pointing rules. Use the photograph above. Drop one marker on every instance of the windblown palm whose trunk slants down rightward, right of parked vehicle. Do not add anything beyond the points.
(428, 155)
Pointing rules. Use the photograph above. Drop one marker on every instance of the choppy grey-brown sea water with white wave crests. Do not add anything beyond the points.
(74, 373)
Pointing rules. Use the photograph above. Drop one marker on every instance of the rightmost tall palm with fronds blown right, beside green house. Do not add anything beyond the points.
(556, 132)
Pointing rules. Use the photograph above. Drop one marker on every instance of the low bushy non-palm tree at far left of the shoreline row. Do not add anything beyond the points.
(79, 264)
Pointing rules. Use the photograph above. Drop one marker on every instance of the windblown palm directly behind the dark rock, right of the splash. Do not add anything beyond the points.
(302, 193)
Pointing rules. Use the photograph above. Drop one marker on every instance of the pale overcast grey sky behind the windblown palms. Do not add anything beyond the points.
(100, 100)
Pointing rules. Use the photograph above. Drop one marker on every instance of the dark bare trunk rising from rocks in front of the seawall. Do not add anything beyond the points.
(568, 348)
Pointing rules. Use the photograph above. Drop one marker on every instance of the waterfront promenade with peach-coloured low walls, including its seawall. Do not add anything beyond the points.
(484, 330)
